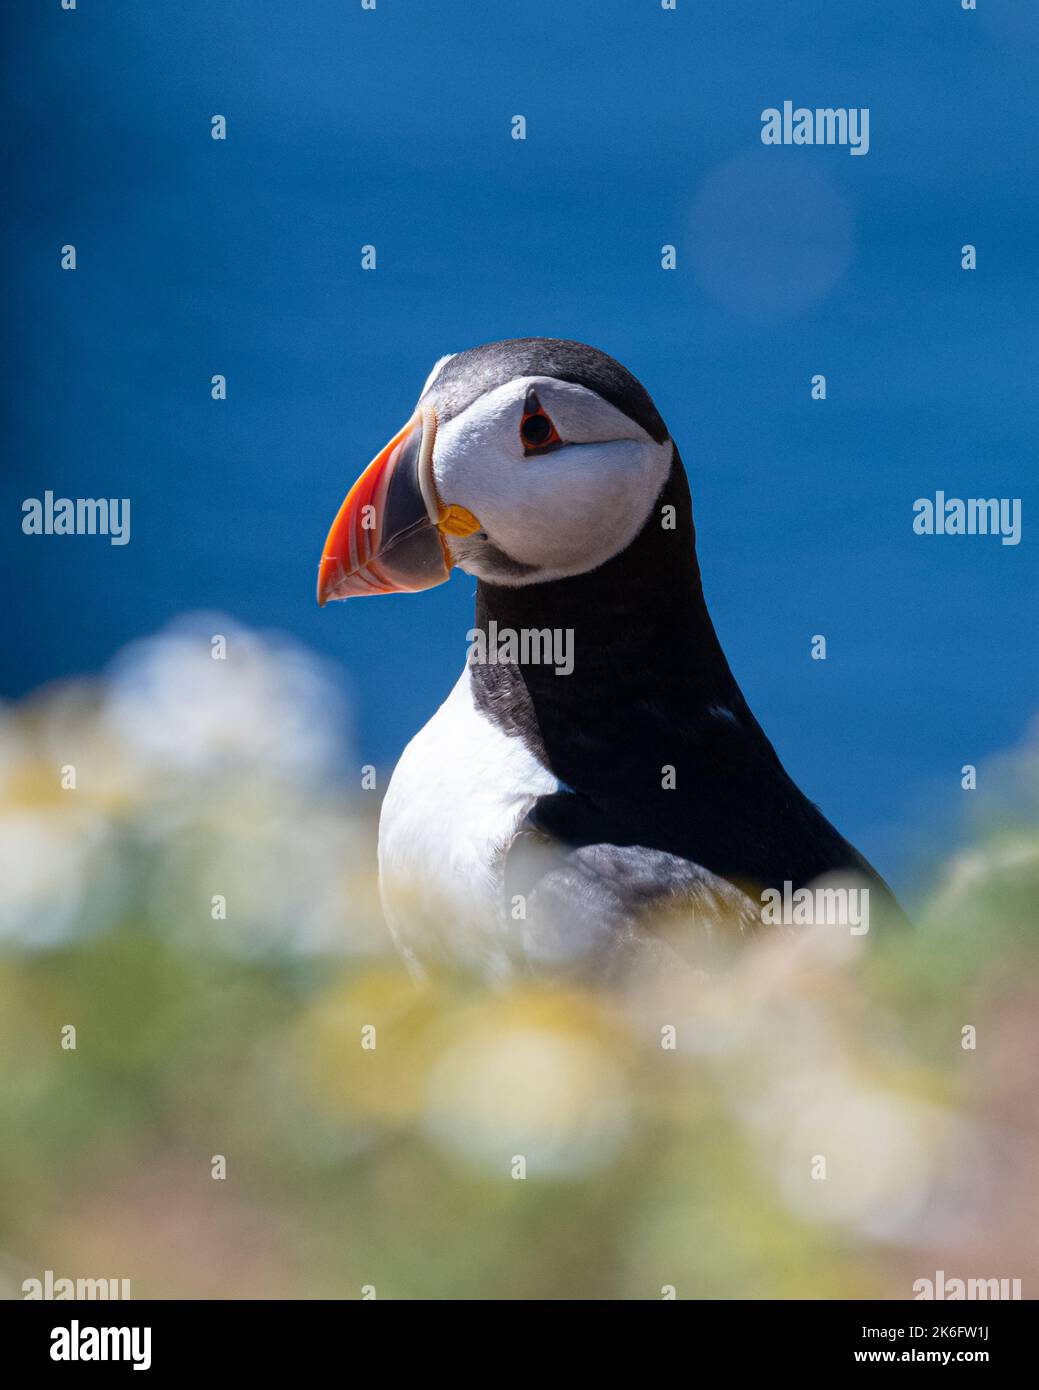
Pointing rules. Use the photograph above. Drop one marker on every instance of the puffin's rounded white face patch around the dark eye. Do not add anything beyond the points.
(546, 515)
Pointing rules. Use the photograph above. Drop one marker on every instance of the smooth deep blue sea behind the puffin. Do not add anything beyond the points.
(393, 127)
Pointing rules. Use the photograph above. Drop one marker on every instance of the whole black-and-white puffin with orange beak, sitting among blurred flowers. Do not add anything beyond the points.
(617, 811)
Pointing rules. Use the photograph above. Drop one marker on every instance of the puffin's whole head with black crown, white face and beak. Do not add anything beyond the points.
(525, 461)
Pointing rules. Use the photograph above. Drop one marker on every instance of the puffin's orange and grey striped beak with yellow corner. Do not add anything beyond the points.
(389, 537)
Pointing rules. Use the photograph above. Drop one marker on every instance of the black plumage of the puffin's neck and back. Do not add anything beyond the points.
(652, 690)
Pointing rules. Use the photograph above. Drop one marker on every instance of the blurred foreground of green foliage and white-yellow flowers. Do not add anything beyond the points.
(393, 1167)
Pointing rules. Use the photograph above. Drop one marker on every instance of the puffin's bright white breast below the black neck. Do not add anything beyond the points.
(453, 806)
